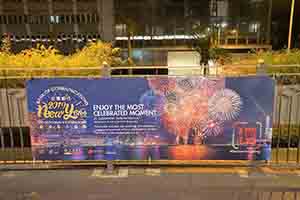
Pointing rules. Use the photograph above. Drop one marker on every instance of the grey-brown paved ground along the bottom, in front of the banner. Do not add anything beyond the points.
(152, 184)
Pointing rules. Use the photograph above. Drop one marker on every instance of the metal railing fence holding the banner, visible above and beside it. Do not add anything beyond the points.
(15, 132)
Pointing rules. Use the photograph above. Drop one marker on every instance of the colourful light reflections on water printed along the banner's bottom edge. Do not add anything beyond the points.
(118, 152)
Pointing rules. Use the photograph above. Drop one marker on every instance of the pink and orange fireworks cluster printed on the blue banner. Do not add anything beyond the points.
(195, 104)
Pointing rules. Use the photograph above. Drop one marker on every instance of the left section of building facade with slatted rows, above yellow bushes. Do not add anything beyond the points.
(58, 21)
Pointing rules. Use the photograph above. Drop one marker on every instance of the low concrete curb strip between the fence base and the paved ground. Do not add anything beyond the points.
(125, 171)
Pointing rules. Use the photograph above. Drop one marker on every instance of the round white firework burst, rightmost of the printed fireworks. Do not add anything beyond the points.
(224, 105)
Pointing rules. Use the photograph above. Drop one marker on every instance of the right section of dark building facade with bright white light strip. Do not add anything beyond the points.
(171, 22)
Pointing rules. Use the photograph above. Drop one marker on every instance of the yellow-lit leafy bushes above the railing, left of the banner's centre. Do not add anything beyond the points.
(92, 55)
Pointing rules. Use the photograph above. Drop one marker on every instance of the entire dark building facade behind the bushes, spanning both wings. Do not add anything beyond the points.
(69, 24)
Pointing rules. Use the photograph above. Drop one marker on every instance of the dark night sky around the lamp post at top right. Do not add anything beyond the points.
(281, 15)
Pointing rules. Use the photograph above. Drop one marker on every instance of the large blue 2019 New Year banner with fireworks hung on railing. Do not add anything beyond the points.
(171, 118)
